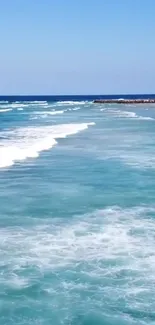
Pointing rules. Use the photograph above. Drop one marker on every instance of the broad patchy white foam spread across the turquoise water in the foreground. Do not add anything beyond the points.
(115, 247)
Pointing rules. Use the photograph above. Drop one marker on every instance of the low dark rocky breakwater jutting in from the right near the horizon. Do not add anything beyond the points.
(124, 101)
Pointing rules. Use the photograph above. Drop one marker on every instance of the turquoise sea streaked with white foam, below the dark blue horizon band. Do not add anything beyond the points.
(77, 214)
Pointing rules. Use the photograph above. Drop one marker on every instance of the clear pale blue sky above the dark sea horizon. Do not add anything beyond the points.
(77, 46)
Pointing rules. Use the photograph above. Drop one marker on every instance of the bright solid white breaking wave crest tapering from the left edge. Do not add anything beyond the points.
(29, 142)
